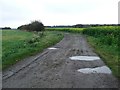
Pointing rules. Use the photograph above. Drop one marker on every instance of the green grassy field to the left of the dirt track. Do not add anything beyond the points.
(17, 44)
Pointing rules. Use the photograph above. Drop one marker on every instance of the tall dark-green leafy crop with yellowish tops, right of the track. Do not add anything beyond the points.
(107, 34)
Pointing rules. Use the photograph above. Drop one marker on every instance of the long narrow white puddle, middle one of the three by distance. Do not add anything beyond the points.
(85, 58)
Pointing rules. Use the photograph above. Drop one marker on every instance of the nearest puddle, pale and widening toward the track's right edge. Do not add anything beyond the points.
(103, 69)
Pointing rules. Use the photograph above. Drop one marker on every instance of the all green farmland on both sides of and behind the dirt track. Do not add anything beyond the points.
(18, 44)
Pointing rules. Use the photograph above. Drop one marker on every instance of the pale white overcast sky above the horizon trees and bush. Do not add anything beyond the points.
(14, 13)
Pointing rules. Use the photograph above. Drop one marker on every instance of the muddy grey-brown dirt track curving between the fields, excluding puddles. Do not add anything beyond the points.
(54, 69)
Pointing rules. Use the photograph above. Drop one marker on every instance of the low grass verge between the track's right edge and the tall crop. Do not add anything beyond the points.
(109, 54)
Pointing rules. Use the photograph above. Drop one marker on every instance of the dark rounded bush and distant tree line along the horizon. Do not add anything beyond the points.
(38, 26)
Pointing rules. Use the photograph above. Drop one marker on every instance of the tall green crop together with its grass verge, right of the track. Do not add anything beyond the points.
(106, 42)
